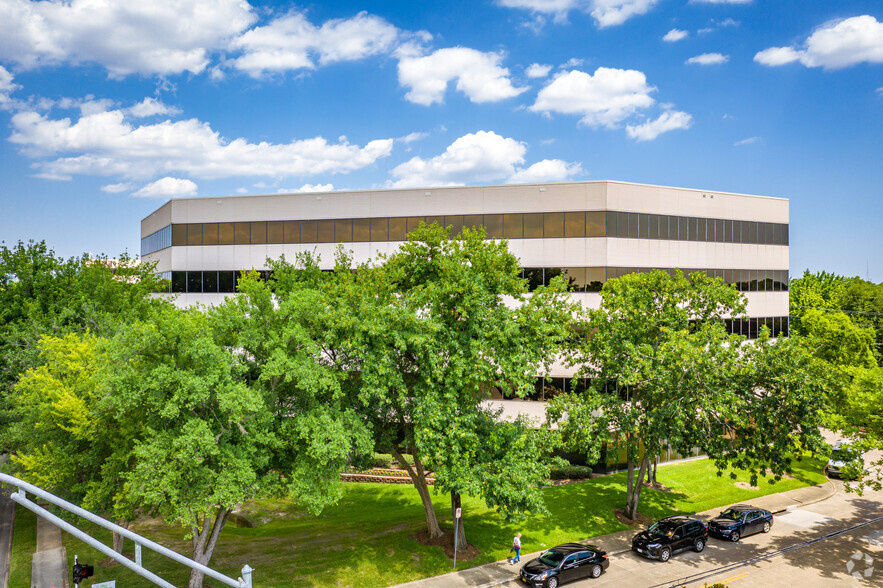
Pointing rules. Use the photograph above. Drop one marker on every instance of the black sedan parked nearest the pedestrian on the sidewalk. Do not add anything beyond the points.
(565, 563)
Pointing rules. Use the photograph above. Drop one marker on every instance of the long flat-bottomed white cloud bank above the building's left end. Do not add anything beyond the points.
(107, 143)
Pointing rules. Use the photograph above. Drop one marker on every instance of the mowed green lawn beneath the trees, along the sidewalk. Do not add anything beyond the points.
(366, 539)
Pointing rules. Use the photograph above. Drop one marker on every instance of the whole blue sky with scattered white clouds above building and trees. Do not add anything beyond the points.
(109, 108)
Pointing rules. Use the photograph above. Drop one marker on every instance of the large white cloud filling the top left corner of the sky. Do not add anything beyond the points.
(124, 37)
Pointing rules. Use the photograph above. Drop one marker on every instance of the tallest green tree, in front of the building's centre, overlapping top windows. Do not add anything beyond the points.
(428, 333)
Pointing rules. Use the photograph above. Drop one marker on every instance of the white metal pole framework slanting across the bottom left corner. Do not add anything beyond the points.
(21, 498)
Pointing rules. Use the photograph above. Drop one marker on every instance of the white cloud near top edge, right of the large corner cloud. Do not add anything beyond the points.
(292, 42)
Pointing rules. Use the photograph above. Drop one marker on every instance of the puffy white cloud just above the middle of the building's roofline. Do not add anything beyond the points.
(479, 157)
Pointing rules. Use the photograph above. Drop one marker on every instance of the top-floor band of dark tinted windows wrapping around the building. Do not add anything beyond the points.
(540, 225)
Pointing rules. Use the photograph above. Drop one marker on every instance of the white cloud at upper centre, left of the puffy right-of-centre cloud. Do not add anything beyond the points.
(479, 76)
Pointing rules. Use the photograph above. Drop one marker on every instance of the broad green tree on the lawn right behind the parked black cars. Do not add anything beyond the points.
(665, 371)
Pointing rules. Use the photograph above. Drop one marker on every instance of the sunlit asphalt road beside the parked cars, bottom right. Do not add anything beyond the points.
(780, 558)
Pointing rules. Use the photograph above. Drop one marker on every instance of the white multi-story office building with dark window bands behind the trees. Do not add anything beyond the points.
(589, 231)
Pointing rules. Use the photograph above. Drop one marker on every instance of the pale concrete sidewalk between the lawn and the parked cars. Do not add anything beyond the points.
(502, 573)
